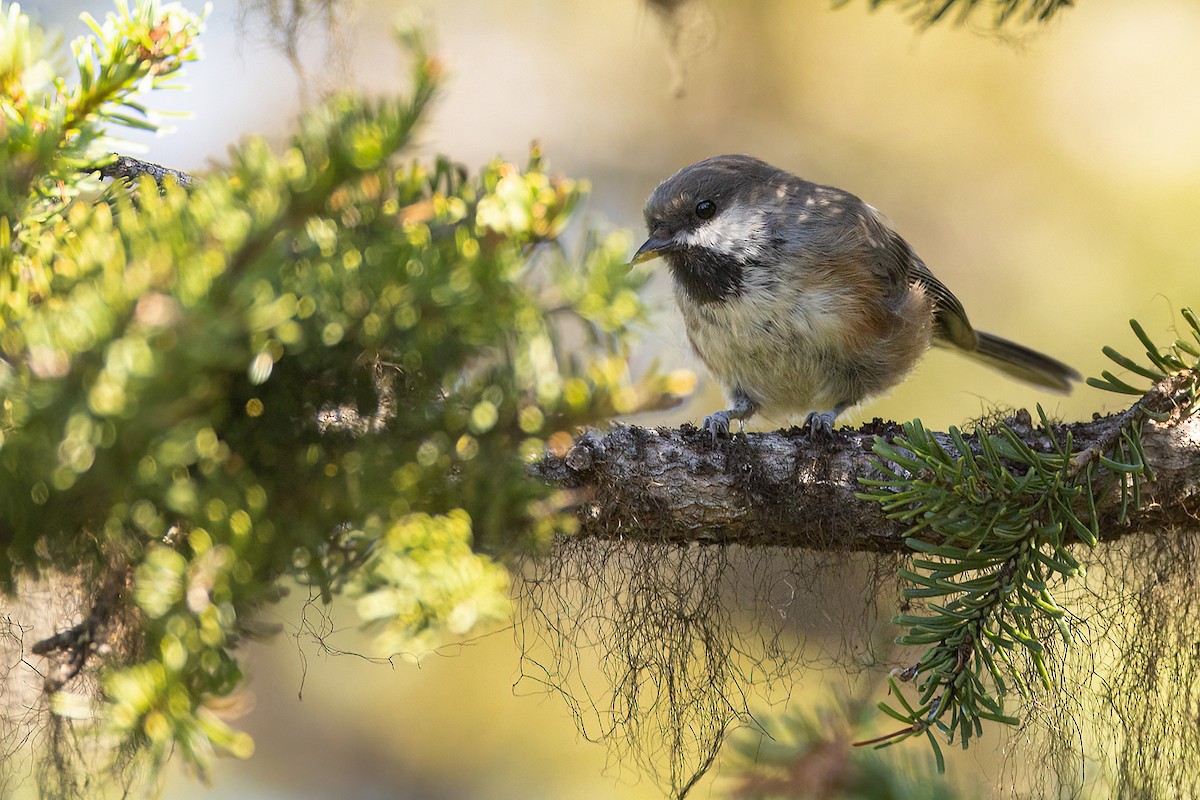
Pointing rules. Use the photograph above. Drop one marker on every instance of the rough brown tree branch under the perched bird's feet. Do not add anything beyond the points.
(783, 490)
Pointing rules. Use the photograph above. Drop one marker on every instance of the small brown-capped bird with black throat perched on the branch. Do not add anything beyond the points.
(801, 298)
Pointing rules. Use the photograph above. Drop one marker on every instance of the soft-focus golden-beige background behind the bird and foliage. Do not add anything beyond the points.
(1049, 178)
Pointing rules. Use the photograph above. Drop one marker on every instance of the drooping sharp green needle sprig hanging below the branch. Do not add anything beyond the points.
(991, 536)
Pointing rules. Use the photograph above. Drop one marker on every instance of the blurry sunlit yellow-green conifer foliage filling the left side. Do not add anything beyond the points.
(319, 366)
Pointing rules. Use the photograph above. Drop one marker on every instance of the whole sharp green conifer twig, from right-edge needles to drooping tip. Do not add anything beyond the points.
(994, 527)
